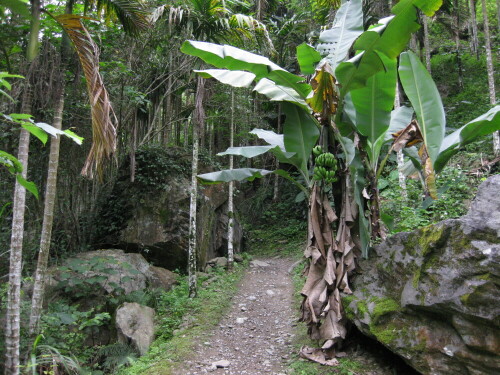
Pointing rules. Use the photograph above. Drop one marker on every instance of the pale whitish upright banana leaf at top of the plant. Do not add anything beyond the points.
(336, 42)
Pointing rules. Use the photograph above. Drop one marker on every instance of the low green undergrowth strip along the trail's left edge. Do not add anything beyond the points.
(182, 321)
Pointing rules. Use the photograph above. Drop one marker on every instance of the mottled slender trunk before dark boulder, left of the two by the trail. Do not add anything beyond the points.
(199, 122)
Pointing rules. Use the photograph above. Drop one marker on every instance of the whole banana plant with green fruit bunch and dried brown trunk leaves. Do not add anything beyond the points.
(351, 99)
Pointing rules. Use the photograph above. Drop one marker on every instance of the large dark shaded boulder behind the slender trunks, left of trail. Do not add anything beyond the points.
(151, 215)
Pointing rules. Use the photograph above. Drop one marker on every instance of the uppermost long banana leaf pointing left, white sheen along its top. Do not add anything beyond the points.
(232, 58)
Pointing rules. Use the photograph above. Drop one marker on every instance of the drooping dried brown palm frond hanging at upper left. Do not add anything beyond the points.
(104, 121)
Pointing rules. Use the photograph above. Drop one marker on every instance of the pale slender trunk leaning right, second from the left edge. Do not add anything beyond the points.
(48, 219)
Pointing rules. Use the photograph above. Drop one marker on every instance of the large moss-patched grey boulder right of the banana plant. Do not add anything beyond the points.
(432, 295)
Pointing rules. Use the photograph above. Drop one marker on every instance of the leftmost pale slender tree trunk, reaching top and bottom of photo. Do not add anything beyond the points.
(13, 316)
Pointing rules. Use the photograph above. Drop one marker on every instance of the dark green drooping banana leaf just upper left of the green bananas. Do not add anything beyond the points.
(300, 135)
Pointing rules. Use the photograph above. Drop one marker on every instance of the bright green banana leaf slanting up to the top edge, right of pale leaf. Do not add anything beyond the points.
(389, 38)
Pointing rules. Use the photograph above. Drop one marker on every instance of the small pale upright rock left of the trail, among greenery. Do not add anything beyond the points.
(135, 325)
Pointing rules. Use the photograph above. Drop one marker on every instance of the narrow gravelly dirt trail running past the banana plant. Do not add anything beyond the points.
(254, 337)
